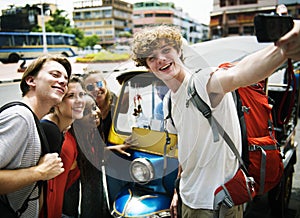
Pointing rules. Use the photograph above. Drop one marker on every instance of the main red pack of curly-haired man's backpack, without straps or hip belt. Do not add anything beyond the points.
(265, 160)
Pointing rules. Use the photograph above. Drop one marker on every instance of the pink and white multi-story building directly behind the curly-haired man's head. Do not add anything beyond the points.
(156, 12)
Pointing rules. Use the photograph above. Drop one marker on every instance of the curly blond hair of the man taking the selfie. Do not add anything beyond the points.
(150, 38)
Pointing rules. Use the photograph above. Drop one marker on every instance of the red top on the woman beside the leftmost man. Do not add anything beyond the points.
(57, 186)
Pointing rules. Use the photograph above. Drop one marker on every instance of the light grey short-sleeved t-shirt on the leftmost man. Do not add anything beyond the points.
(20, 148)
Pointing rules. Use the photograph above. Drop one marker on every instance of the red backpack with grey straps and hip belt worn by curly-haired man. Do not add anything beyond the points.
(261, 162)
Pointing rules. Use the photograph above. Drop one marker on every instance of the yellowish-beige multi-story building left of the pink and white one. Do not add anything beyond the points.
(108, 19)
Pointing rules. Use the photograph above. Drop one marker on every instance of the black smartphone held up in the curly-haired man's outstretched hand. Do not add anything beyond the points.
(270, 27)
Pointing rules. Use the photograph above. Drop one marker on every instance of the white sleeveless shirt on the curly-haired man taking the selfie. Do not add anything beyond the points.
(206, 164)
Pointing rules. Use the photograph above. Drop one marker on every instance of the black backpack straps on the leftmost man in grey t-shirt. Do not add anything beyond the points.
(45, 149)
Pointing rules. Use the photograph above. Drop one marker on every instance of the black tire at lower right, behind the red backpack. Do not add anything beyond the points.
(279, 197)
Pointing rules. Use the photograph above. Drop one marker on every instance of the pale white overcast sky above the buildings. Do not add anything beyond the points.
(197, 9)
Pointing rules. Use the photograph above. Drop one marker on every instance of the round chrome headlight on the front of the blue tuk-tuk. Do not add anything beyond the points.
(141, 170)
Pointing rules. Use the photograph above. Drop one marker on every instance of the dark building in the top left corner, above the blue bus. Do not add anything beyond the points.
(25, 18)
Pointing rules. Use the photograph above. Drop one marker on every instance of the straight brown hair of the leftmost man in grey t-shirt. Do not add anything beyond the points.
(34, 68)
